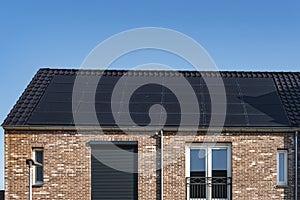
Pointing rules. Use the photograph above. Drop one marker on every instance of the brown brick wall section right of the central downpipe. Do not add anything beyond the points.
(254, 165)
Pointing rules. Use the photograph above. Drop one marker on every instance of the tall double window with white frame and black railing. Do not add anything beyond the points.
(208, 171)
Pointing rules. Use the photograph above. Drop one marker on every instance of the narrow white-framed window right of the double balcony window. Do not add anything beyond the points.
(282, 167)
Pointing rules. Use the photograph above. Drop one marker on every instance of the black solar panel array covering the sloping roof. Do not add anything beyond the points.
(249, 102)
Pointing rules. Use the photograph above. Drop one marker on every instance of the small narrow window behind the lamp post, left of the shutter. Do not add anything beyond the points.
(38, 171)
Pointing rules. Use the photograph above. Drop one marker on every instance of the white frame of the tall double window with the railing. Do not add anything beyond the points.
(208, 147)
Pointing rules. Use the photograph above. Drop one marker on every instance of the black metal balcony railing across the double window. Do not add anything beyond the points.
(199, 188)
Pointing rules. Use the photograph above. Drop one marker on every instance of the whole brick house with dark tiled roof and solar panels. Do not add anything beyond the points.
(253, 157)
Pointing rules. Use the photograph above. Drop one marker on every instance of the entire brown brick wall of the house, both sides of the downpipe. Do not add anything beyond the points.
(67, 164)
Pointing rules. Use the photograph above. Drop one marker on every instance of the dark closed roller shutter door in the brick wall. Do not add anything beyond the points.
(110, 183)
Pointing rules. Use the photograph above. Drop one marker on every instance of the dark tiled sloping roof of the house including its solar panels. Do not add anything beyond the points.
(268, 98)
